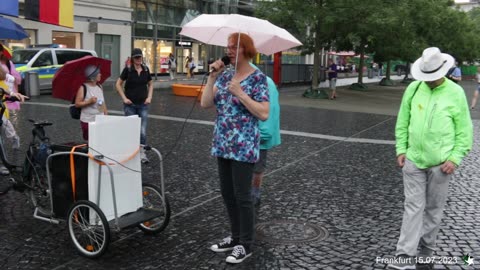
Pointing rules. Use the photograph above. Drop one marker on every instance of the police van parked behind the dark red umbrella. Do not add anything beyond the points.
(45, 62)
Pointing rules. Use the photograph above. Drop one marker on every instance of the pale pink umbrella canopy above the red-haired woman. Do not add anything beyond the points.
(214, 29)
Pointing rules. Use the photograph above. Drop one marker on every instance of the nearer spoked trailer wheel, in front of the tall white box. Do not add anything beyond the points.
(88, 229)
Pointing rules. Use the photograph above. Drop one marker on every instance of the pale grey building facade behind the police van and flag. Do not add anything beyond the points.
(100, 25)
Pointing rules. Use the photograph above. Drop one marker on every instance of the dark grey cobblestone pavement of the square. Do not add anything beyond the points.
(316, 179)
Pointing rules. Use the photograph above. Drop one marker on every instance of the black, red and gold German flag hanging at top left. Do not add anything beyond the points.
(57, 12)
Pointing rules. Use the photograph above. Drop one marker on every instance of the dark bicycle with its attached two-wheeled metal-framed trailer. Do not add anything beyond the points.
(88, 227)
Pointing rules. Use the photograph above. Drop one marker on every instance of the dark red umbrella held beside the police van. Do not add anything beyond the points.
(71, 76)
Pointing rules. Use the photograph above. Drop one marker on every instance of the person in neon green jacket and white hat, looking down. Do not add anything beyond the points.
(433, 134)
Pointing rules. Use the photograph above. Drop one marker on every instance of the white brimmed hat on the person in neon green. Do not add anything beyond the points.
(432, 66)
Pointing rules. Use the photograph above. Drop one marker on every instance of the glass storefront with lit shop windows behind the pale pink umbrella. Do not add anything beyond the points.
(158, 24)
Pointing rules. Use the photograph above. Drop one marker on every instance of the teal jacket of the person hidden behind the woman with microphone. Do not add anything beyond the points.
(270, 128)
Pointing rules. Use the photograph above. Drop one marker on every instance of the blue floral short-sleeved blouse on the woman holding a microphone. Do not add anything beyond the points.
(236, 135)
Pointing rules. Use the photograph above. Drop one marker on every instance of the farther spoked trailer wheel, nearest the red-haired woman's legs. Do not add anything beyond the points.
(152, 199)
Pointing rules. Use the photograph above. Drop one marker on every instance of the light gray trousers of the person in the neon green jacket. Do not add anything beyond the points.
(425, 196)
